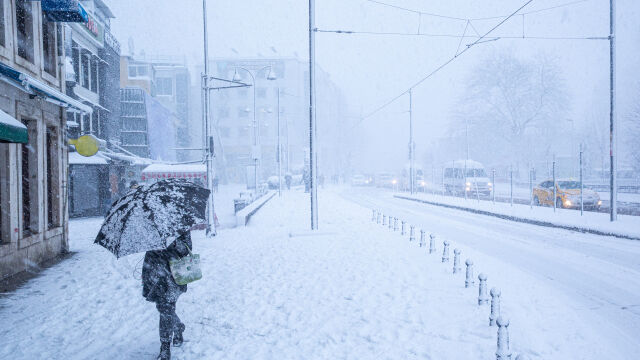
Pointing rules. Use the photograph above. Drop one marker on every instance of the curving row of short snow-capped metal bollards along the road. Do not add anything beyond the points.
(503, 351)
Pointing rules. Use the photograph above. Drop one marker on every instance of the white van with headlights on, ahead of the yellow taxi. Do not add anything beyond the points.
(466, 175)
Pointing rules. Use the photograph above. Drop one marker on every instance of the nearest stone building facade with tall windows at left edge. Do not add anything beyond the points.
(33, 168)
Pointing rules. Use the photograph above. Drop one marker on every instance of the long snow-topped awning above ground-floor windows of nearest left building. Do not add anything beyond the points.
(35, 87)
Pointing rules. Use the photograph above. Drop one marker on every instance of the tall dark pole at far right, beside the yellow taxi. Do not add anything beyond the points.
(612, 115)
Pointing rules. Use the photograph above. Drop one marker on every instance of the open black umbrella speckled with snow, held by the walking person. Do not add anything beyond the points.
(151, 217)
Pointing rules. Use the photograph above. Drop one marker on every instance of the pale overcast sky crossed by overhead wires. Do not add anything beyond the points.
(373, 69)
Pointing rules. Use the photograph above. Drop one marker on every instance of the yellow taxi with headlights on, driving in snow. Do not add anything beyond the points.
(567, 195)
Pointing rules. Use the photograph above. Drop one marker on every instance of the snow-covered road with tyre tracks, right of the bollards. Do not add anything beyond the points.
(601, 275)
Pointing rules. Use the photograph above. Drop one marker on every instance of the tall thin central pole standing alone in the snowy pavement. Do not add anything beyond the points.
(312, 118)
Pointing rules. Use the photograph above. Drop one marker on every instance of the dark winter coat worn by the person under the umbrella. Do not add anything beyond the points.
(158, 284)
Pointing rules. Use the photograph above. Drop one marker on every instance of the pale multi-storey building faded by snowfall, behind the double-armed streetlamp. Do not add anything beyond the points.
(232, 116)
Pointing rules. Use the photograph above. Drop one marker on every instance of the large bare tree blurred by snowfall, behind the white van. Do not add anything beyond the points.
(513, 109)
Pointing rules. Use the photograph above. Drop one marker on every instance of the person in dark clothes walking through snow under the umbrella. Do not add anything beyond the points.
(158, 286)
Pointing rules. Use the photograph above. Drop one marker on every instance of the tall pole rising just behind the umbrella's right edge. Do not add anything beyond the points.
(208, 140)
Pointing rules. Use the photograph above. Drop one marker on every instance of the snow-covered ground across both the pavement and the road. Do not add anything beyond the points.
(353, 290)
